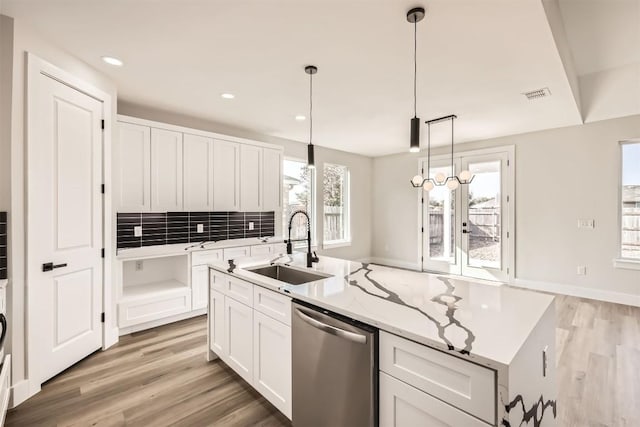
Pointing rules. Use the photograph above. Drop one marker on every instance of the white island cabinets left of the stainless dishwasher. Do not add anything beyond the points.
(252, 342)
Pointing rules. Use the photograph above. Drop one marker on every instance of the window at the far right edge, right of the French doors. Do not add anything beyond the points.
(630, 198)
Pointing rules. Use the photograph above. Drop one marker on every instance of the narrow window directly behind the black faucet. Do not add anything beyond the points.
(297, 193)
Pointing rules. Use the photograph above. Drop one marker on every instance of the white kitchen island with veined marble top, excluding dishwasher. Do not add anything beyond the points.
(457, 351)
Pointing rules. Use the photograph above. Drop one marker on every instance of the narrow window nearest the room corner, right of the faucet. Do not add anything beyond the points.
(335, 184)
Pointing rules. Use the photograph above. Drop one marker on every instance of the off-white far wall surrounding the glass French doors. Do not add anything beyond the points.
(561, 175)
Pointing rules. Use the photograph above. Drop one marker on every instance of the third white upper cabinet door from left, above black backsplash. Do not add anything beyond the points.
(198, 173)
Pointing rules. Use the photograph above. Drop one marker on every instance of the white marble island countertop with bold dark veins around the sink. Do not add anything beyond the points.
(481, 321)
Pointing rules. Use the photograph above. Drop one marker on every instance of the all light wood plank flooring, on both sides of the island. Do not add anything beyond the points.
(160, 378)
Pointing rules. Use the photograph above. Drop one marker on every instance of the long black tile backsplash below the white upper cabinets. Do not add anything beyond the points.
(167, 228)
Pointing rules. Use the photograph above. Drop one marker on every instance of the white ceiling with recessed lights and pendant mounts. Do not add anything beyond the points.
(476, 57)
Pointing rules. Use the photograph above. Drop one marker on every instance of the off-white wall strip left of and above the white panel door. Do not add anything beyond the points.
(26, 40)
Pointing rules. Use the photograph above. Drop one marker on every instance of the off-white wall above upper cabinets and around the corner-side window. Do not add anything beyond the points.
(360, 168)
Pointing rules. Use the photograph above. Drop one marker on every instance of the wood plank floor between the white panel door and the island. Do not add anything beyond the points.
(154, 378)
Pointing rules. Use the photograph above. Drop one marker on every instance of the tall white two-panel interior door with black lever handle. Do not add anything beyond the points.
(64, 225)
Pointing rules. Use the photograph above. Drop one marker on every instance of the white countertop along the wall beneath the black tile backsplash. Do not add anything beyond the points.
(184, 248)
